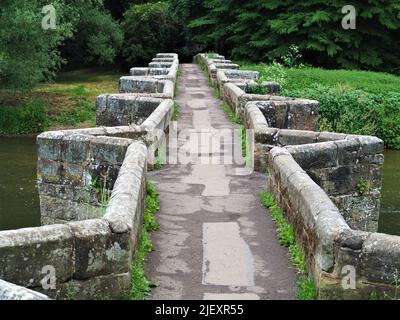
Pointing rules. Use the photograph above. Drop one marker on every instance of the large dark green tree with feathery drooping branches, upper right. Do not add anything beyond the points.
(262, 30)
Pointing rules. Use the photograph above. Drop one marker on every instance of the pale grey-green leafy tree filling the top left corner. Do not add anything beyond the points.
(28, 54)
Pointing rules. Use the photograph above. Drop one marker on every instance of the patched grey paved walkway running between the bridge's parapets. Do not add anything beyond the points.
(215, 239)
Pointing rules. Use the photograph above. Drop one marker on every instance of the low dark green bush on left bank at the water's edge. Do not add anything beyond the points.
(31, 117)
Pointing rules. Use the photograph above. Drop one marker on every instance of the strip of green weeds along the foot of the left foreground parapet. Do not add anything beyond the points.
(141, 286)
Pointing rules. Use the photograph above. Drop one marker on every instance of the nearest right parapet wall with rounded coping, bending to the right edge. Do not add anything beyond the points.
(327, 240)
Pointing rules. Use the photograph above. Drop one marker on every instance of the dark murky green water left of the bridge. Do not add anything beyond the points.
(19, 201)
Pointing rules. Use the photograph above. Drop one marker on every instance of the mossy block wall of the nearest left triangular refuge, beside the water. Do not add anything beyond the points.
(72, 168)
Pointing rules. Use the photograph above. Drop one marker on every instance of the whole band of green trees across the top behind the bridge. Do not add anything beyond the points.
(92, 32)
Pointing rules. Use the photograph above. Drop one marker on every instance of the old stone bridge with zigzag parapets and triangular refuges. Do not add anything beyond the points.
(215, 240)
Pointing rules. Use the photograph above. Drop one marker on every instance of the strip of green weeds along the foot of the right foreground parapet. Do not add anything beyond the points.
(305, 286)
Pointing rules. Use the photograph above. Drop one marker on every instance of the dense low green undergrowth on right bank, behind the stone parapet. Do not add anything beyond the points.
(356, 111)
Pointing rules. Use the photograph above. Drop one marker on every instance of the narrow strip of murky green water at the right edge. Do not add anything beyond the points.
(390, 200)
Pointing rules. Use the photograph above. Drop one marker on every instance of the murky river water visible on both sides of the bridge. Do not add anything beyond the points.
(19, 203)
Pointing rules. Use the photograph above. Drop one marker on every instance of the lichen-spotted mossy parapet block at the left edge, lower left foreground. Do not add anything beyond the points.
(25, 253)
